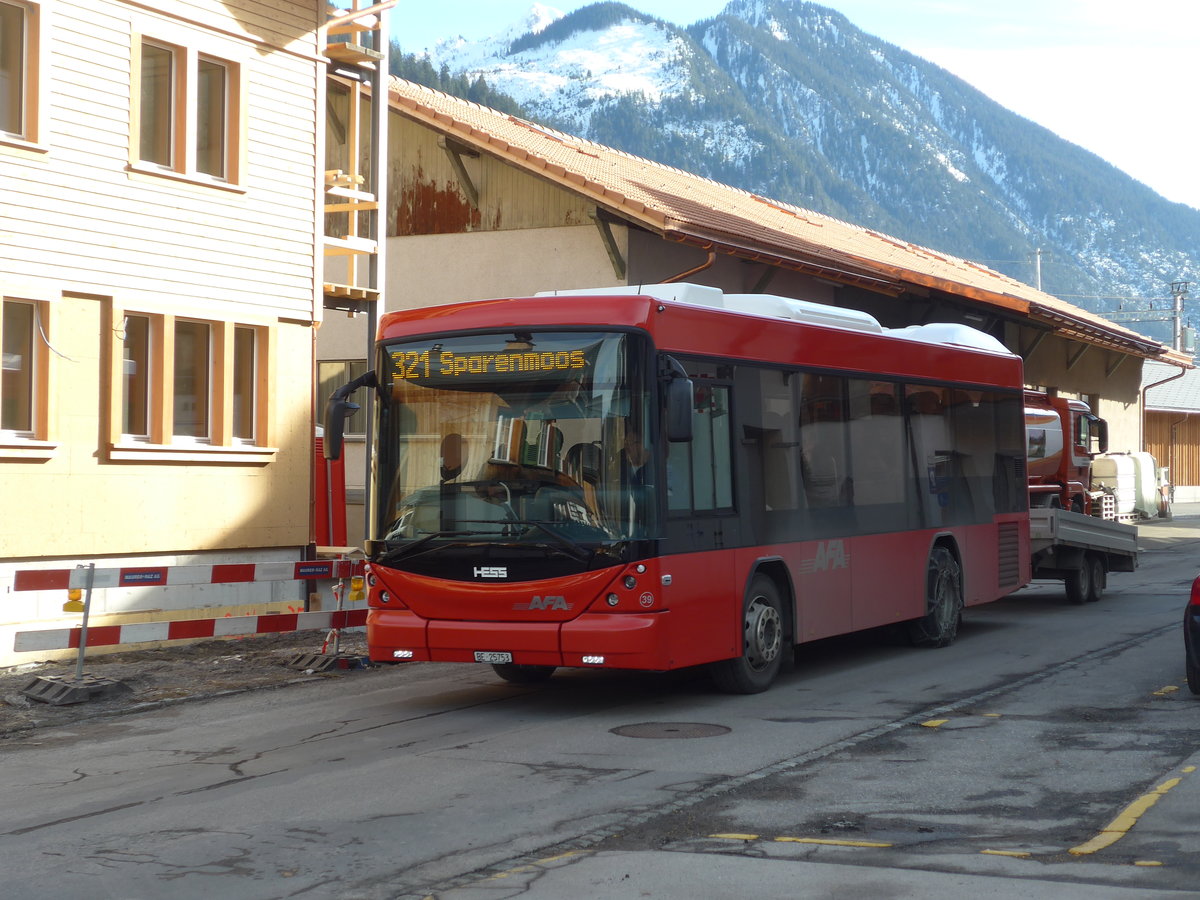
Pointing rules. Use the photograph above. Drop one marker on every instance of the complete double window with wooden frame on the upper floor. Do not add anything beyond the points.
(187, 111)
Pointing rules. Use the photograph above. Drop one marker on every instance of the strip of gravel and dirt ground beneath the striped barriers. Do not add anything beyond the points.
(170, 675)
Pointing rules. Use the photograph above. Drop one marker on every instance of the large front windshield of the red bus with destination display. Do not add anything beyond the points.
(514, 441)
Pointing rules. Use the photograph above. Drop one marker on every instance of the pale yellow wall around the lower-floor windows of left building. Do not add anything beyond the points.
(77, 503)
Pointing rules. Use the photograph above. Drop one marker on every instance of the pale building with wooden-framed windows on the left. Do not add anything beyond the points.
(161, 285)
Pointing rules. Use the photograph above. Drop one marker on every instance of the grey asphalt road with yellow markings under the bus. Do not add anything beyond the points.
(1051, 753)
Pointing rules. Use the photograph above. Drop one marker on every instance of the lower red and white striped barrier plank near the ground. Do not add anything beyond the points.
(67, 639)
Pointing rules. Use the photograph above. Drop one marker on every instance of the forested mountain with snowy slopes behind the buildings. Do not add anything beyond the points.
(790, 100)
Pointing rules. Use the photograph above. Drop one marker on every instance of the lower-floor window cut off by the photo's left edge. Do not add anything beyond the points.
(25, 376)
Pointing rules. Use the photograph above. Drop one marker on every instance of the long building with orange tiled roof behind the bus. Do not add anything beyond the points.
(482, 205)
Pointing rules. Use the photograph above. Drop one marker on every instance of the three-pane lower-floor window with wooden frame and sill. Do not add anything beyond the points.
(189, 389)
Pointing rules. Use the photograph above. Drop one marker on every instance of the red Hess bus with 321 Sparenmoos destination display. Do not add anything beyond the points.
(668, 476)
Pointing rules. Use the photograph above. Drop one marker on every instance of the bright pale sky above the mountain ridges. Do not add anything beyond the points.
(1118, 77)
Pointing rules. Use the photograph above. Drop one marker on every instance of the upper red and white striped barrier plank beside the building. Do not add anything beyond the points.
(172, 575)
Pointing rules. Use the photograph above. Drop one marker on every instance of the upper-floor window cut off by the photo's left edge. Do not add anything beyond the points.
(20, 70)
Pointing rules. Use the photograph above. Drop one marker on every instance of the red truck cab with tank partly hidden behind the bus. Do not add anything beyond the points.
(1063, 437)
